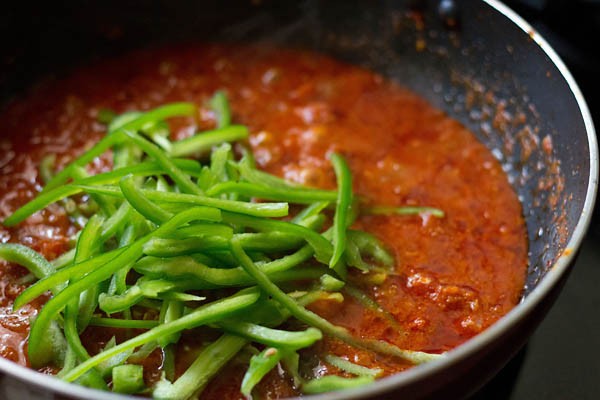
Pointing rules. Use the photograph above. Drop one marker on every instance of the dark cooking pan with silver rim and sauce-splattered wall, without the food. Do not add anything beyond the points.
(476, 60)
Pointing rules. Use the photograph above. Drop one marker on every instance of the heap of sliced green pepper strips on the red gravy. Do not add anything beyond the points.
(172, 232)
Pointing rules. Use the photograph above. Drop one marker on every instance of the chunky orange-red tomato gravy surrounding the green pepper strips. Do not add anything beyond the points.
(454, 276)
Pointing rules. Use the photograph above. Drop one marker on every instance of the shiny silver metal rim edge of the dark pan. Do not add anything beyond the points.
(511, 319)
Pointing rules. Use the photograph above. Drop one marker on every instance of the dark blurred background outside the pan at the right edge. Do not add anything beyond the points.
(562, 359)
